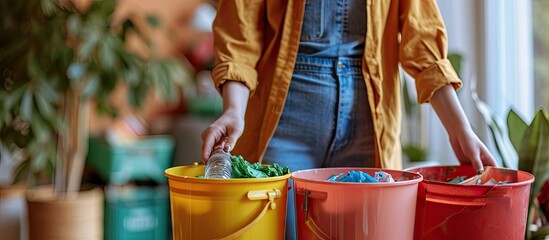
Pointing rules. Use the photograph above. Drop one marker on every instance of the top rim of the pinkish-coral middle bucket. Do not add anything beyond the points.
(369, 184)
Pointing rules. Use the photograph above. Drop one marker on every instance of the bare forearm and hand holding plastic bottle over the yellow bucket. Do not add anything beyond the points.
(225, 131)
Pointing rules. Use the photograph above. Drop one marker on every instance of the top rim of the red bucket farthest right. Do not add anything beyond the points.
(514, 184)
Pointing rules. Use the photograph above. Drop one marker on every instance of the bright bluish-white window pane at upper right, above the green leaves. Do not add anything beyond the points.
(509, 56)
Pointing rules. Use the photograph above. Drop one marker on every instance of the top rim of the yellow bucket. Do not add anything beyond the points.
(169, 173)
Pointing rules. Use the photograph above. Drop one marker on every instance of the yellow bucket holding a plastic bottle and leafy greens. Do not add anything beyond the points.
(252, 208)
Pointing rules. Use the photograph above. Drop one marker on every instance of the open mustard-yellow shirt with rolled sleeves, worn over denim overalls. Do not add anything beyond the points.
(256, 43)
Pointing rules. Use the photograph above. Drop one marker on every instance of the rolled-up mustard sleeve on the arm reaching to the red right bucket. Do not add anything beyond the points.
(423, 48)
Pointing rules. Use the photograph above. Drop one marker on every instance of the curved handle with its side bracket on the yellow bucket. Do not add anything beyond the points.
(270, 194)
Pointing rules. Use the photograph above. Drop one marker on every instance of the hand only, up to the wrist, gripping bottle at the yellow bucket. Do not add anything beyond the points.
(222, 134)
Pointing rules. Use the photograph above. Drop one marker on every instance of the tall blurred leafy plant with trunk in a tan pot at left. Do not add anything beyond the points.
(56, 57)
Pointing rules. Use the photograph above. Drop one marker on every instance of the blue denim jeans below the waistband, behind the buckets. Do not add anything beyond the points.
(326, 121)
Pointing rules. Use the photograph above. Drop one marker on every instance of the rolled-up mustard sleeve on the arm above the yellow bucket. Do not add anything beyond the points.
(238, 38)
